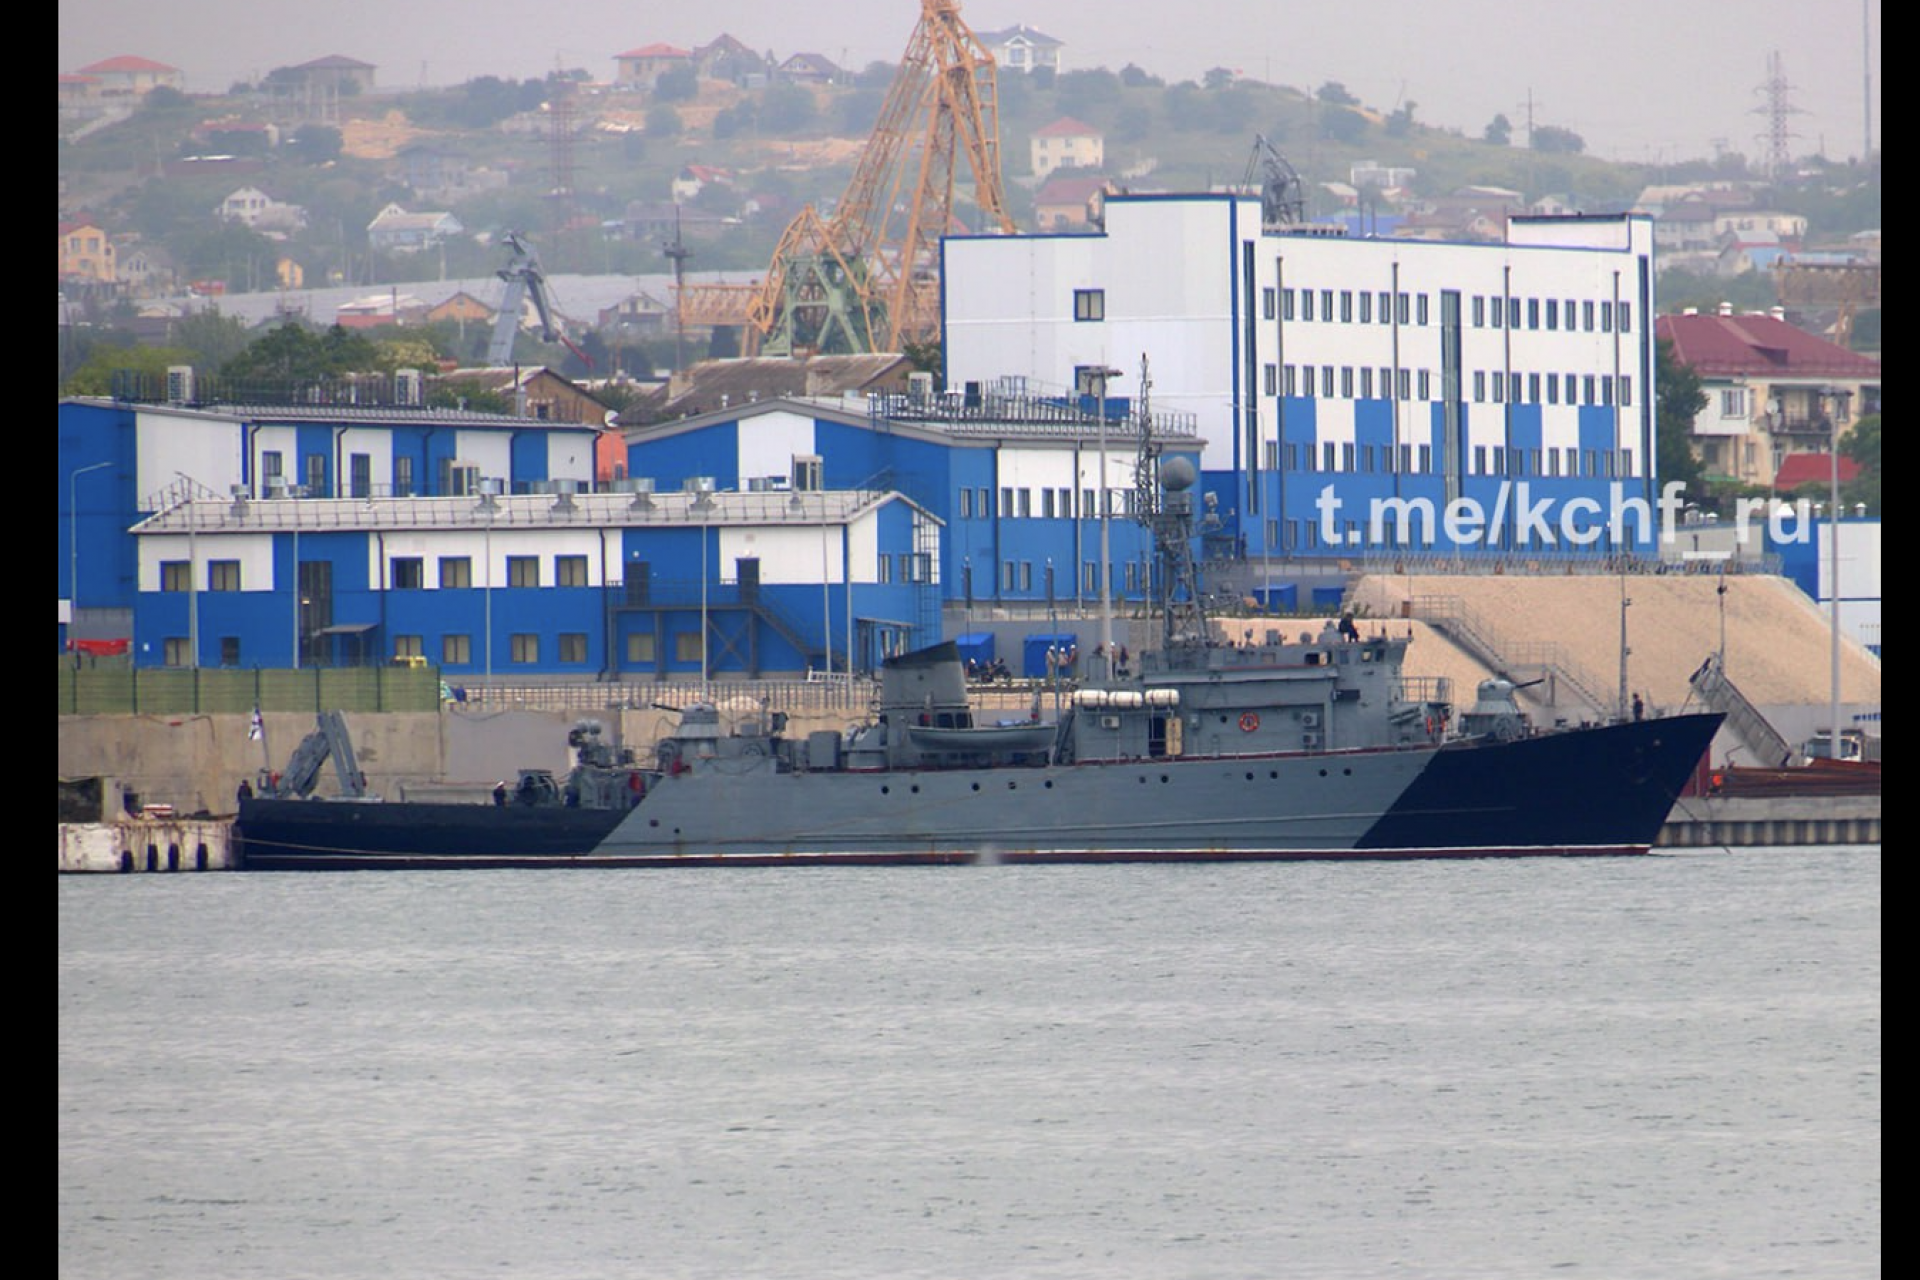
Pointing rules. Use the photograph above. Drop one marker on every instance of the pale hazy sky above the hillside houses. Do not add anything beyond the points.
(1639, 80)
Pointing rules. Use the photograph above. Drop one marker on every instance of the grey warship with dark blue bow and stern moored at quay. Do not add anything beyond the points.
(1282, 747)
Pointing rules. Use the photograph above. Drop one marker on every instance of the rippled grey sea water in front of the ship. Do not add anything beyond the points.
(1639, 1068)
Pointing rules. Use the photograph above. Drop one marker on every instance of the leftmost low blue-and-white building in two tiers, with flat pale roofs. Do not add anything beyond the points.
(331, 536)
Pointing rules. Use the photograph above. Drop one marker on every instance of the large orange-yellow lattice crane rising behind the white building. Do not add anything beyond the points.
(867, 279)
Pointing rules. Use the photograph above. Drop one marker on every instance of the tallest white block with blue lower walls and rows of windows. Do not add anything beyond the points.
(1349, 391)
